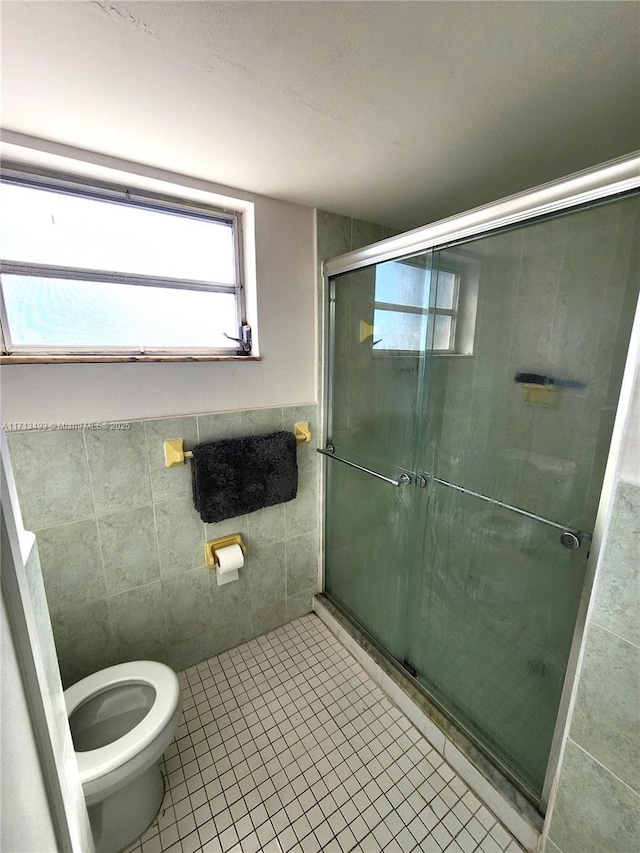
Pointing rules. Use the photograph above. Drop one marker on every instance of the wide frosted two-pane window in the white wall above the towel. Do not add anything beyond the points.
(97, 270)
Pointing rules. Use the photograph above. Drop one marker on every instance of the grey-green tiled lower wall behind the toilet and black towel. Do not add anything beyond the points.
(121, 546)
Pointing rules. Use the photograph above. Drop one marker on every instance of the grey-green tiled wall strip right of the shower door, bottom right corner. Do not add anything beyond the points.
(597, 809)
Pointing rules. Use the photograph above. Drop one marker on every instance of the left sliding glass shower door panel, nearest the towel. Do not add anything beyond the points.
(377, 358)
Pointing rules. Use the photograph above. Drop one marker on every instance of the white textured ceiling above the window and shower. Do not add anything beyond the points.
(396, 112)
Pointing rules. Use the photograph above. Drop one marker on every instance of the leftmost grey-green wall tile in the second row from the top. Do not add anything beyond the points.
(71, 564)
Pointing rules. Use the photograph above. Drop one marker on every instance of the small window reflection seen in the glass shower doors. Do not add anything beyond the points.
(413, 302)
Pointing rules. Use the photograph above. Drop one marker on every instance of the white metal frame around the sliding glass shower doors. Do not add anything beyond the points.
(616, 177)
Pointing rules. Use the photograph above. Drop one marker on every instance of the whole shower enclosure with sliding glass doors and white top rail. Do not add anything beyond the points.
(473, 373)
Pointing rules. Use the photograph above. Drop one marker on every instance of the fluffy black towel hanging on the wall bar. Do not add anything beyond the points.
(235, 476)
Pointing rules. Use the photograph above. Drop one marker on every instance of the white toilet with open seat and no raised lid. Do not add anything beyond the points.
(122, 719)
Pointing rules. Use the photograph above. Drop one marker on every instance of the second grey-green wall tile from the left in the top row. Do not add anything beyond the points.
(118, 468)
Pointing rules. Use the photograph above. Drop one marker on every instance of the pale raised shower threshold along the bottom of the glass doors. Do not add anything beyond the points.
(512, 806)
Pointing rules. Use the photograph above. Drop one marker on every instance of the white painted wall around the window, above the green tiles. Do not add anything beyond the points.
(286, 314)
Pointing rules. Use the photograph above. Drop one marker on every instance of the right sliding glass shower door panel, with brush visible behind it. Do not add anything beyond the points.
(516, 430)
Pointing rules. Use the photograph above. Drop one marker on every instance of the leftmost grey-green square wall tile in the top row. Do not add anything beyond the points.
(52, 477)
